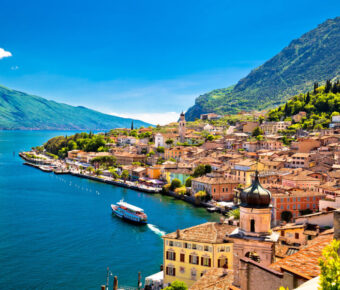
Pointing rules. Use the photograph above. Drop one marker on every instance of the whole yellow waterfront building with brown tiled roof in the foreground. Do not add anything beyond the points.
(190, 253)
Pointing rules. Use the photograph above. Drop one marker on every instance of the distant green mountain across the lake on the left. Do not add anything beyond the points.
(23, 111)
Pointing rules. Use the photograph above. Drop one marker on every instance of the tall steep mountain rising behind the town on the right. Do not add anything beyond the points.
(314, 57)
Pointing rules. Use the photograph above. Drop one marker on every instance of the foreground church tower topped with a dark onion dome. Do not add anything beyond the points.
(253, 239)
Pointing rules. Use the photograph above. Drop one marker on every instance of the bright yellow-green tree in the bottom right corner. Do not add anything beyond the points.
(330, 267)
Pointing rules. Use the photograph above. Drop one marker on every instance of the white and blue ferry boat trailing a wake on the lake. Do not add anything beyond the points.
(129, 212)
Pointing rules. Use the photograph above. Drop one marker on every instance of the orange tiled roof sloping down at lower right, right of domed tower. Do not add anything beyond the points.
(305, 261)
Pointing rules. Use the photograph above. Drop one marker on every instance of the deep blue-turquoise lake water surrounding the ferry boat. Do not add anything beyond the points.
(57, 231)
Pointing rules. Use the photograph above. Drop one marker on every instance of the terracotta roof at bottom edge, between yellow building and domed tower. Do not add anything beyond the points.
(214, 279)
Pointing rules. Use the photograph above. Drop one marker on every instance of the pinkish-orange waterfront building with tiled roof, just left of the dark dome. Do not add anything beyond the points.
(219, 188)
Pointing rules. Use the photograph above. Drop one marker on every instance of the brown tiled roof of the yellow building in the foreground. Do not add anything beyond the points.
(210, 232)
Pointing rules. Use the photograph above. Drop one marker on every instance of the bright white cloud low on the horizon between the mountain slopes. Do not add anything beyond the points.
(152, 118)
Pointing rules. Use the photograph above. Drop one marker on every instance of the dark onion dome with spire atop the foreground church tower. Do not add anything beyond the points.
(255, 196)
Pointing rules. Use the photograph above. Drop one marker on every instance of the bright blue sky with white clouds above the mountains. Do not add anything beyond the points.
(145, 59)
